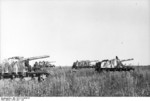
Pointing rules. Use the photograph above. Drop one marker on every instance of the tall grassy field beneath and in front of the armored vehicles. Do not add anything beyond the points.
(82, 82)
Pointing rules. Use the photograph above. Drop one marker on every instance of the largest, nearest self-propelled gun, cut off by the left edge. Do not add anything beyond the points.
(19, 67)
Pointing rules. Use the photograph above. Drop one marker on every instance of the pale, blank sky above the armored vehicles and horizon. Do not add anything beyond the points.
(70, 30)
